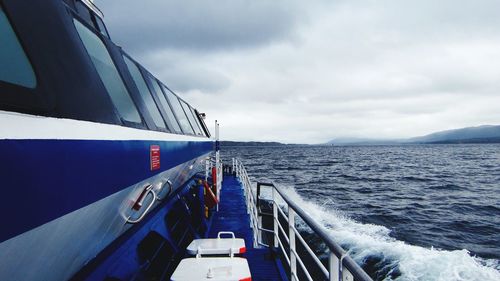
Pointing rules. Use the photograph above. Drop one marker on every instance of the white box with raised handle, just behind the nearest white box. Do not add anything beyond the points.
(217, 246)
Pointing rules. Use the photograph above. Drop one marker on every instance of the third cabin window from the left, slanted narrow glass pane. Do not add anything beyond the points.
(145, 93)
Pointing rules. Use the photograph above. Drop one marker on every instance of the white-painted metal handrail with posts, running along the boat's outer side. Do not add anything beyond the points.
(340, 266)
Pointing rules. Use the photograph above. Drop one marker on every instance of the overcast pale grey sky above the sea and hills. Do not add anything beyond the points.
(311, 71)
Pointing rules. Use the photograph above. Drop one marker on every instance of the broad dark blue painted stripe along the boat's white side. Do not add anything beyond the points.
(42, 180)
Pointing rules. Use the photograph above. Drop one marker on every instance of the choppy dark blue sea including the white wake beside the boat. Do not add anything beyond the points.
(416, 212)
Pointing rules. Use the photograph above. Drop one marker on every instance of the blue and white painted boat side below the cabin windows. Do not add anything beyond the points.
(68, 187)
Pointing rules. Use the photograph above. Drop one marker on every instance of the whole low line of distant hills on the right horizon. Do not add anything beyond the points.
(480, 134)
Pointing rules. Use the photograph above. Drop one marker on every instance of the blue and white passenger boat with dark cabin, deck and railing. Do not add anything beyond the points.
(108, 174)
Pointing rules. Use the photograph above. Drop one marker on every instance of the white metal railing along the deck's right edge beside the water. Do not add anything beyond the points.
(340, 267)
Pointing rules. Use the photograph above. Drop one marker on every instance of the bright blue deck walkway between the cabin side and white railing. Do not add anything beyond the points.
(232, 216)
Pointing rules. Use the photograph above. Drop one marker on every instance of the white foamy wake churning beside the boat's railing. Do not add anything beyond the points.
(414, 262)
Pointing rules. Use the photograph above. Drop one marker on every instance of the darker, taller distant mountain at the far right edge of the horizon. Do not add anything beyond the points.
(485, 133)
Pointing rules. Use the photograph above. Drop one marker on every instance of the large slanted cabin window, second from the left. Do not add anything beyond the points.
(108, 73)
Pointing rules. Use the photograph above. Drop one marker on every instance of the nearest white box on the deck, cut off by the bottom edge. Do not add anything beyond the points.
(212, 268)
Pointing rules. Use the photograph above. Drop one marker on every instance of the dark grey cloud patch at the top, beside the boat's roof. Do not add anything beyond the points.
(143, 26)
